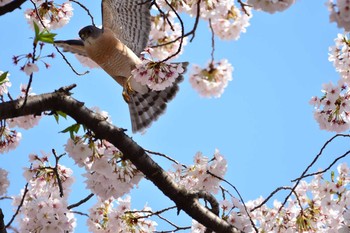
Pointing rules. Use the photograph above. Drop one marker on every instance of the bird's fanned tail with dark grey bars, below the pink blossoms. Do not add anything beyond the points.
(146, 108)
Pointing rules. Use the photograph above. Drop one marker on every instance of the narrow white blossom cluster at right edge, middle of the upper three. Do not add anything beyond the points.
(340, 56)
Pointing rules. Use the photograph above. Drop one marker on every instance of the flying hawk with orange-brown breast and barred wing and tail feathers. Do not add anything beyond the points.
(116, 48)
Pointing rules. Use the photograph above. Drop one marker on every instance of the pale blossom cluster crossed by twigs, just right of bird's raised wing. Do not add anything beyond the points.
(165, 37)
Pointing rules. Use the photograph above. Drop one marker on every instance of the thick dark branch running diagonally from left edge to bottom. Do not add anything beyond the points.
(61, 101)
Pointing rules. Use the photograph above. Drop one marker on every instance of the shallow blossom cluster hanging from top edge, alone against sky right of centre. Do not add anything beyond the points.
(271, 6)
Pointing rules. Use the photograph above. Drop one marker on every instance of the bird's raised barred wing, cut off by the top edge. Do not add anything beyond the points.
(129, 20)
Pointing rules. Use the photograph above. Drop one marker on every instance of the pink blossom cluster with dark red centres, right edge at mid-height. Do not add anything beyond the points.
(332, 110)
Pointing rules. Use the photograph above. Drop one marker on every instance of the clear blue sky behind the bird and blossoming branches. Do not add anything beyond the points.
(262, 124)
